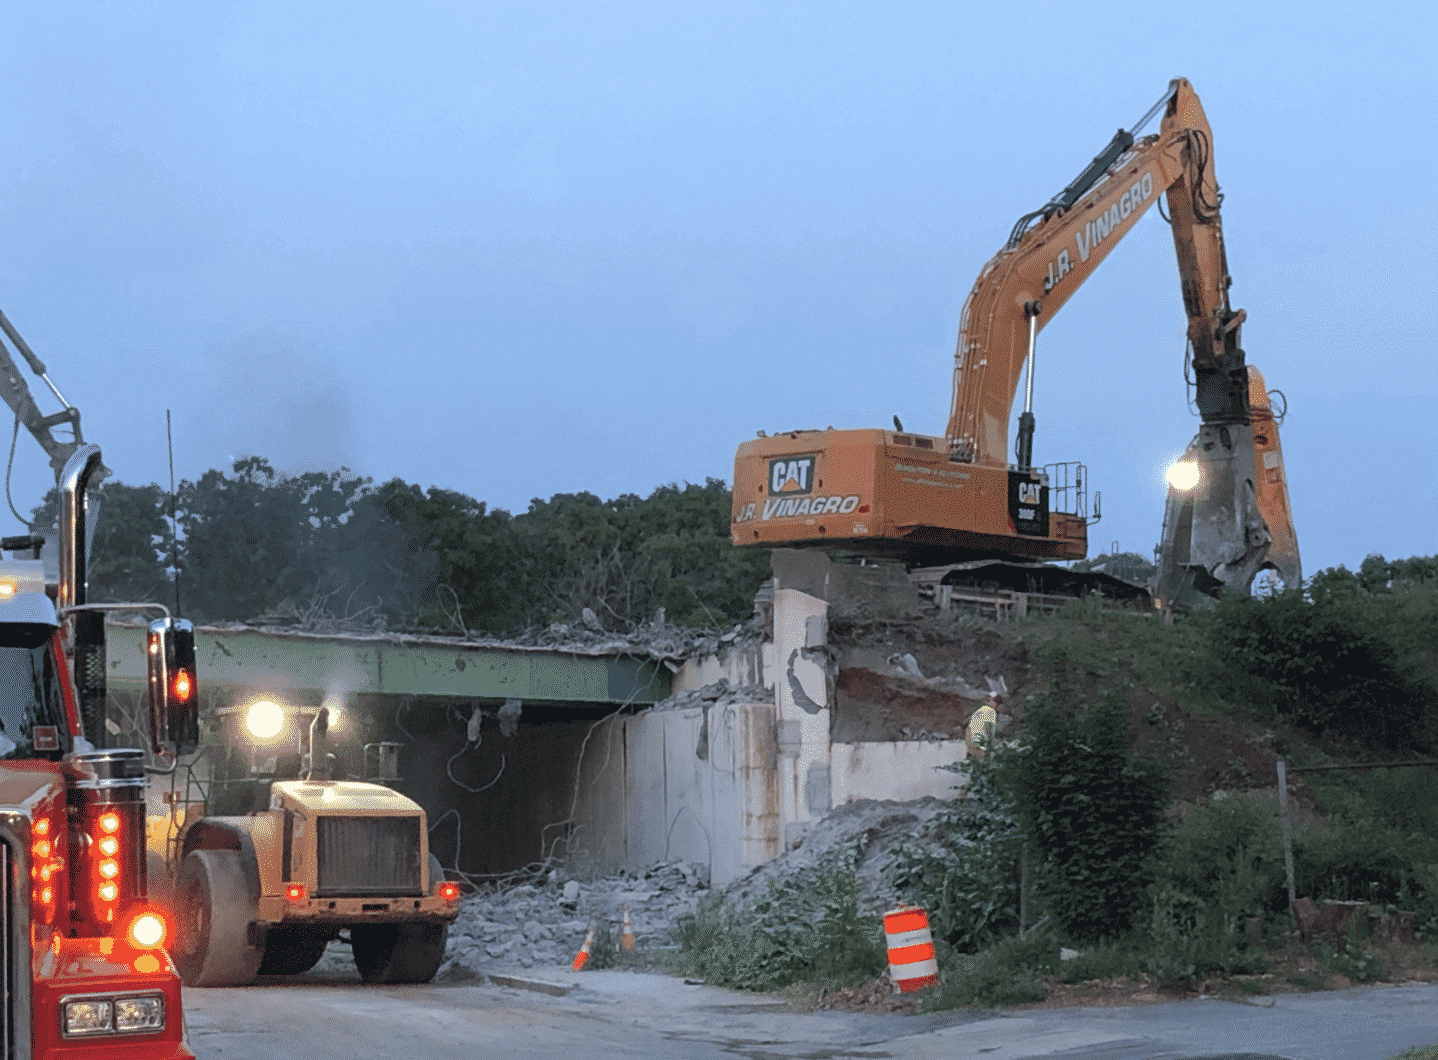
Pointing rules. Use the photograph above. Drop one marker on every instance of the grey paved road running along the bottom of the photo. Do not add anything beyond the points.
(626, 1015)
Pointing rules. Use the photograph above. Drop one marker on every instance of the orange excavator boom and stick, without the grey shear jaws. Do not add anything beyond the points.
(1055, 250)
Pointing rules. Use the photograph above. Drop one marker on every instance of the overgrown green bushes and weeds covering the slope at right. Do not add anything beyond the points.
(1124, 882)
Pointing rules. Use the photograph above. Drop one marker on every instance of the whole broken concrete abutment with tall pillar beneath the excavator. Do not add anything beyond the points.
(715, 777)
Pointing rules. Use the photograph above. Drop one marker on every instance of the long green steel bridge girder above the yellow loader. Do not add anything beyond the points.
(313, 667)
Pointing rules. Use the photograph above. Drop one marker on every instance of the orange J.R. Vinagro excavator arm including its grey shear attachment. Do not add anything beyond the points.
(1236, 520)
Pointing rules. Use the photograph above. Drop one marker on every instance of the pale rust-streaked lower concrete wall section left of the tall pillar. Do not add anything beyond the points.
(695, 786)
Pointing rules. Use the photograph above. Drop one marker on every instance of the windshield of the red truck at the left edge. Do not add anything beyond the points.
(32, 707)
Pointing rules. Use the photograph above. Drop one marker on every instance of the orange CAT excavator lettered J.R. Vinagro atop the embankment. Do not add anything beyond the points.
(960, 498)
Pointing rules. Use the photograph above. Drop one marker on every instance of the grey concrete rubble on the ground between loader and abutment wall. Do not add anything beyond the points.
(544, 927)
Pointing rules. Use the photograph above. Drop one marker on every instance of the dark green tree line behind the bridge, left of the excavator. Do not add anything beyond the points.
(336, 549)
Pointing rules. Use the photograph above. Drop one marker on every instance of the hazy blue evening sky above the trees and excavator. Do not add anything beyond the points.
(523, 250)
